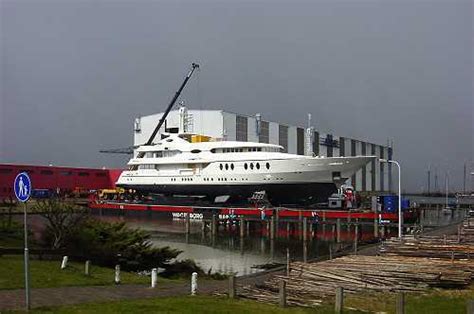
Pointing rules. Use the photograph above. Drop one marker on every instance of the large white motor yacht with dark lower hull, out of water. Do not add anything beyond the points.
(184, 164)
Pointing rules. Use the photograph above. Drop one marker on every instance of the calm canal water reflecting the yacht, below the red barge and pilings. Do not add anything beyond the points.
(228, 252)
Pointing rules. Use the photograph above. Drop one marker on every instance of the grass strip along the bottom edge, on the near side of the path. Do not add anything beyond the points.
(442, 301)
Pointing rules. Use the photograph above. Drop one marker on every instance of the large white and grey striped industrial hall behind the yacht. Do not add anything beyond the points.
(225, 125)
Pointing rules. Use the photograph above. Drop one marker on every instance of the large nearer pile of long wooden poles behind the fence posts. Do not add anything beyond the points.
(309, 283)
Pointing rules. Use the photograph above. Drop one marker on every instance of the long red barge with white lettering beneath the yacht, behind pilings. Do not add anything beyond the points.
(255, 212)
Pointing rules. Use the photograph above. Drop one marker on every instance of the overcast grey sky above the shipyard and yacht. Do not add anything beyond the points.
(75, 73)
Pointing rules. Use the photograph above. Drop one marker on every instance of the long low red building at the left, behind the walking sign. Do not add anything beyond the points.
(66, 180)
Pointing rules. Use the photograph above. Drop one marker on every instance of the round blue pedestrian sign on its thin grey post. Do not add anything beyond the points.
(22, 187)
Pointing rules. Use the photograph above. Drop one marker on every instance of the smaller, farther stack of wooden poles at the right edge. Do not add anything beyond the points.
(428, 246)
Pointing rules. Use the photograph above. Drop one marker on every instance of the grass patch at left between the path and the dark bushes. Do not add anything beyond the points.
(47, 274)
